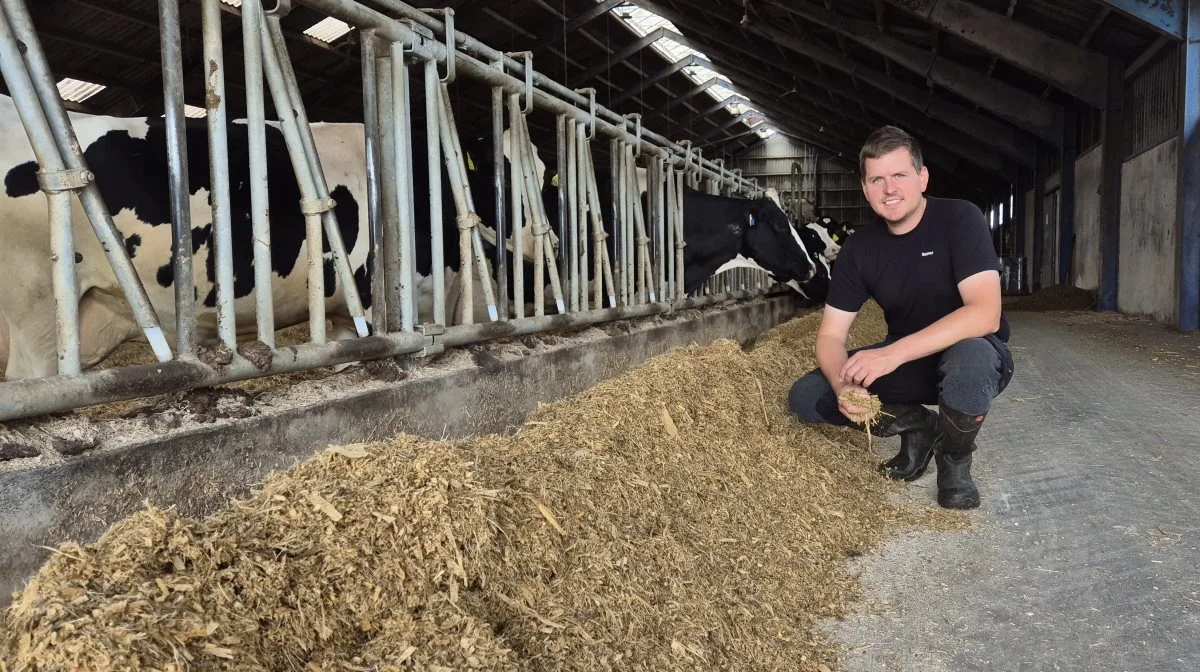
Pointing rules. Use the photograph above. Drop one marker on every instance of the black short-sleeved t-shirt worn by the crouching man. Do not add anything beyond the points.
(915, 277)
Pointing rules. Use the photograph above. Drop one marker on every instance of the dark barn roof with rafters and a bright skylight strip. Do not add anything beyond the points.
(980, 81)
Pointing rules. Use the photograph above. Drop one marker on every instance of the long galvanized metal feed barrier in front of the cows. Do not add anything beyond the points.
(587, 287)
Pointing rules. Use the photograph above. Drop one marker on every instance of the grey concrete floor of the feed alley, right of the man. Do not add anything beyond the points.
(1085, 554)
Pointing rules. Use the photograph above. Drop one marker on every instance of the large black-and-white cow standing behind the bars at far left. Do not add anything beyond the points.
(129, 158)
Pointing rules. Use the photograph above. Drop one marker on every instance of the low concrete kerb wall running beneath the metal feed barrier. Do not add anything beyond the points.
(200, 467)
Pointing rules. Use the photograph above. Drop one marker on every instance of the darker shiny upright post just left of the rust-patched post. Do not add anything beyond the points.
(177, 163)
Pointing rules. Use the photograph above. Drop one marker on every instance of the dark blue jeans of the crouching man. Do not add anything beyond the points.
(967, 377)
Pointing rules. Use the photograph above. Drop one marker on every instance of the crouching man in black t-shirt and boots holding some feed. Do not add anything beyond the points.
(931, 265)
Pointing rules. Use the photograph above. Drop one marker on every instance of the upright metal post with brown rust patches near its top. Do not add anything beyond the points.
(219, 170)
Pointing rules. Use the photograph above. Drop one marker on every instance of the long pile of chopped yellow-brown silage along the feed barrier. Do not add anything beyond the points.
(673, 519)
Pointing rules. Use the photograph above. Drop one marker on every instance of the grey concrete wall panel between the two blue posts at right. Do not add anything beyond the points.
(1149, 244)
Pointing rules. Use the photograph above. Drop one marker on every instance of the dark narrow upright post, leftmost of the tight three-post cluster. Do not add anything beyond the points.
(375, 199)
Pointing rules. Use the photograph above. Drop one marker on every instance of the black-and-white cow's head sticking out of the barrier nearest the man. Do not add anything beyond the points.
(775, 245)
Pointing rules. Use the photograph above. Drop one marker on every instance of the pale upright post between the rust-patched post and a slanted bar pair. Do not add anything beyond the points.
(256, 131)
